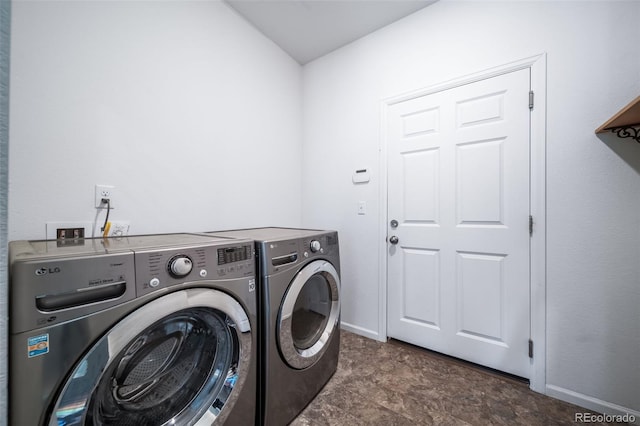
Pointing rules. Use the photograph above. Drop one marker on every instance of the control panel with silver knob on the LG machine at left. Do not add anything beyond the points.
(161, 268)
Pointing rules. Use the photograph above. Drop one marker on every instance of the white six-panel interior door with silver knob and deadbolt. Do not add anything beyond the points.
(458, 187)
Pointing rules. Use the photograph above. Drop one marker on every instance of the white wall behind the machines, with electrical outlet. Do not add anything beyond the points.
(190, 112)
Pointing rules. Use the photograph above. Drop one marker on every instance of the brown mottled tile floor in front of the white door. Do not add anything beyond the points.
(398, 384)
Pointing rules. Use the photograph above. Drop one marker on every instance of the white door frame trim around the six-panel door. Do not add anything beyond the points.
(537, 201)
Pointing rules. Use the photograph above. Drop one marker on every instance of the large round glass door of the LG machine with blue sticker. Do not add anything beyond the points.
(173, 361)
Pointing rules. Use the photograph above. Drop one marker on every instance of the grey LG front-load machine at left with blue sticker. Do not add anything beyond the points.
(142, 330)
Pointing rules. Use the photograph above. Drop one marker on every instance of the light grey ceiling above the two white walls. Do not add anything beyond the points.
(308, 29)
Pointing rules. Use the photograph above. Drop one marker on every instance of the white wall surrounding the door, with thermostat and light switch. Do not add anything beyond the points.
(593, 183)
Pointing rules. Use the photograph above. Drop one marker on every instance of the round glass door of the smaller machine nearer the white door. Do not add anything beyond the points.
(309, 314)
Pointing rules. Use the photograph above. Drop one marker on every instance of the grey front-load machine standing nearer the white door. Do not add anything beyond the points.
(299, 282)
